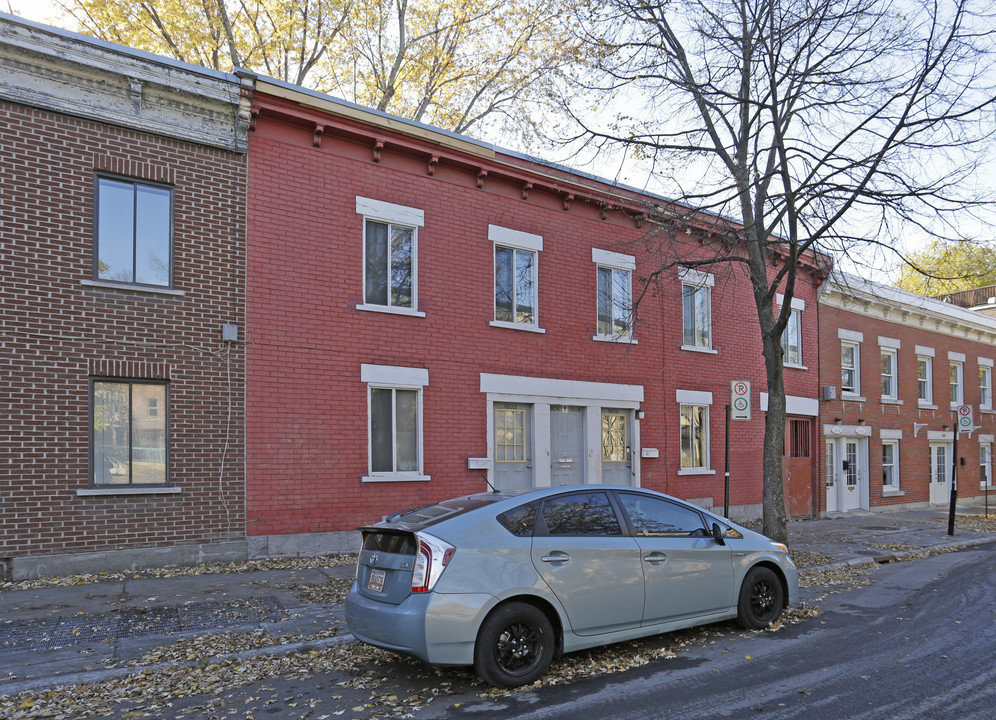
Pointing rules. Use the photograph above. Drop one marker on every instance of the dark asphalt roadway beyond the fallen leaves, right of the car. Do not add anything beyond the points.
(918, 643)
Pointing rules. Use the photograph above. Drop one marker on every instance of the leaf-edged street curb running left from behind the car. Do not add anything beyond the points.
(96, 676)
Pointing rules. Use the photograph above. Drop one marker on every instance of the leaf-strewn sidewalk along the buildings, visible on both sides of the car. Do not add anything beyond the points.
(105, 630)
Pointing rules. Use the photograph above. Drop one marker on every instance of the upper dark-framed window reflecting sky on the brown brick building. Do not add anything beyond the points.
(134, 232)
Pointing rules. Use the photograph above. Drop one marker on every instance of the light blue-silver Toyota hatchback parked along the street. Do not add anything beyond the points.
(504, 582)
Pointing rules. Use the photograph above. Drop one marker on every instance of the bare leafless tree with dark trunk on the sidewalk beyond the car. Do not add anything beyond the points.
(818, 126)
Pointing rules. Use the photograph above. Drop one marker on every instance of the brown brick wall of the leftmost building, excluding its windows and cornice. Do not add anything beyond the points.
(56, 333)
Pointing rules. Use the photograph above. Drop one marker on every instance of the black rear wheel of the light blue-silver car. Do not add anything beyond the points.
(514, 646)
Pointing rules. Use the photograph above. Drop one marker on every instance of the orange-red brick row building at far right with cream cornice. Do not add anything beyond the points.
(896, 367)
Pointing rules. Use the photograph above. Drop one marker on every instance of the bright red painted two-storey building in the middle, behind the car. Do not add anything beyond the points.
(428, 315)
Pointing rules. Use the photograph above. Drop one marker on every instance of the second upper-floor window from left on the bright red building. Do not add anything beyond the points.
(516, 254)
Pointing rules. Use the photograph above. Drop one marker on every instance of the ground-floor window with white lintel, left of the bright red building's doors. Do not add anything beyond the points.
(395, 422)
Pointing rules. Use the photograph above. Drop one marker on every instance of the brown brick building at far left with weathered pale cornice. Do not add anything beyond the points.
(122, 232)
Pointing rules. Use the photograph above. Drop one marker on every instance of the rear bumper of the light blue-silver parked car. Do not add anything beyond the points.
(439, 629)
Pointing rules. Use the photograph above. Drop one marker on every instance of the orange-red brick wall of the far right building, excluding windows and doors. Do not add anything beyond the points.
(914, 447)
